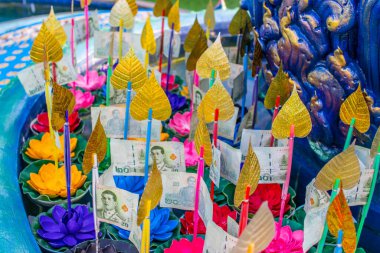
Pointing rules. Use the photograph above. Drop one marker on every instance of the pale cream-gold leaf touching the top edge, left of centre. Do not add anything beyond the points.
(121, 10)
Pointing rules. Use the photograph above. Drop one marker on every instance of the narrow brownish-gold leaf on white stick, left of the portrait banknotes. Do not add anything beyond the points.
(97, 144)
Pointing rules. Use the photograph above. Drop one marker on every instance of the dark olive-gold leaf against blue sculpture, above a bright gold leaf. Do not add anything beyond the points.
(281, 85)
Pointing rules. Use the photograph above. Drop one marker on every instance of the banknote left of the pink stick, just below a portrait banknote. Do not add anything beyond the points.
(178, 190)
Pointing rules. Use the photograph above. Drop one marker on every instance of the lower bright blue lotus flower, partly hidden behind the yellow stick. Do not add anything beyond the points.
(161, 228)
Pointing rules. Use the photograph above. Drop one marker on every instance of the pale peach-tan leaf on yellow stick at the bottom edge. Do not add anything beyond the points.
(259, 231)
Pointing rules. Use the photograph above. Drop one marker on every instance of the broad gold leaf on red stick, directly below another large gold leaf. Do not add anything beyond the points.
(217, 97)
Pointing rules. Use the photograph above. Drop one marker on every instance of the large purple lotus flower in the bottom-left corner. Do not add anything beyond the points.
(59, 230)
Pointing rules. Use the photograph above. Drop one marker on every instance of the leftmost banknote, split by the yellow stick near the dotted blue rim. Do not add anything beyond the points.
(32, 78)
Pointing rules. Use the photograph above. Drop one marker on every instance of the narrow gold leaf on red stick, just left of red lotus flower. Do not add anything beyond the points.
(250, 175)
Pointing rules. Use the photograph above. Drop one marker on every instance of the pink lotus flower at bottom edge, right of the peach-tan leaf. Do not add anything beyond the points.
(288, 241)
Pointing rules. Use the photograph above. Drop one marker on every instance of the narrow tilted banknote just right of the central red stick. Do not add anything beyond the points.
(230, 160)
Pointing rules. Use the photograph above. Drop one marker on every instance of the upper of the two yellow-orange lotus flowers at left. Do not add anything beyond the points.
(45, 148)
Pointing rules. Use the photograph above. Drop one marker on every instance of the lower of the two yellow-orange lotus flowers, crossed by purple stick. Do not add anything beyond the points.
(51, 181)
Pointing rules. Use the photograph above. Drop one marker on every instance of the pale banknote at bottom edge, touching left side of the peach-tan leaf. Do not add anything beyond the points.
(217, 240)
